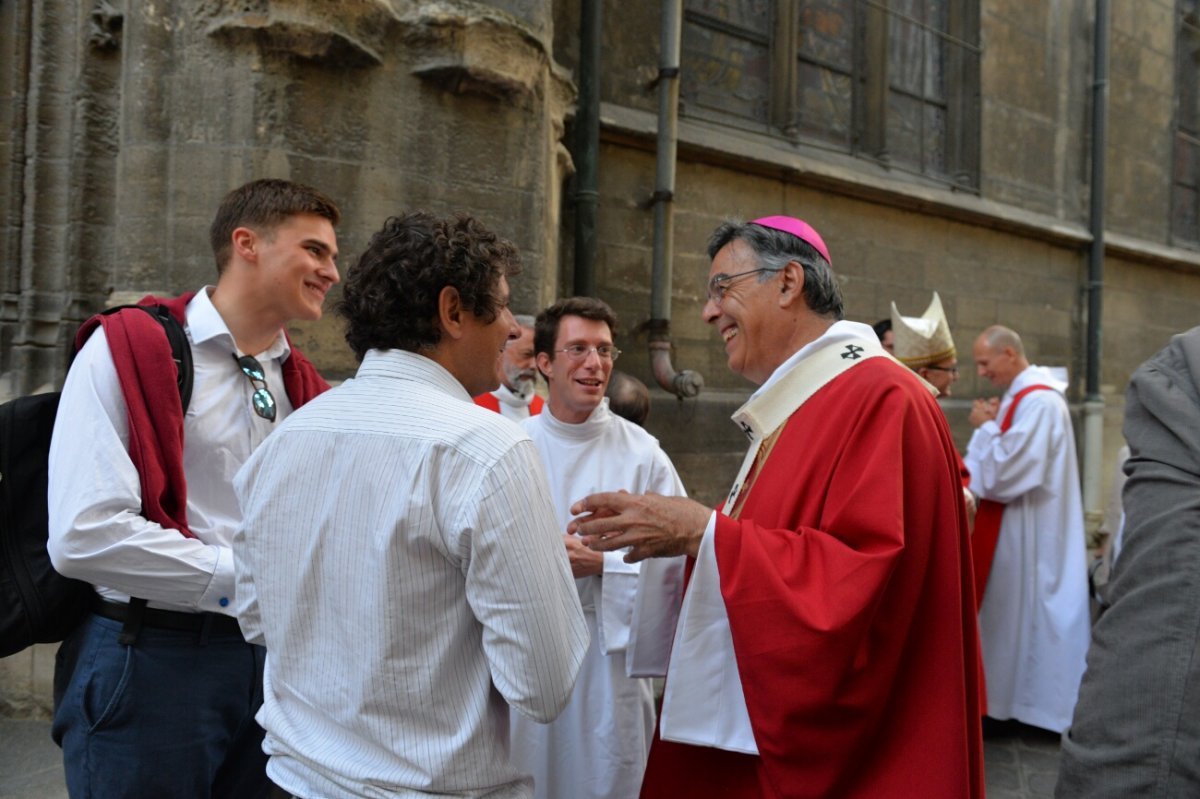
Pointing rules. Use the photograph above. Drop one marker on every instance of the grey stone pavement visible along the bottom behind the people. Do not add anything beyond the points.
(1022, 762)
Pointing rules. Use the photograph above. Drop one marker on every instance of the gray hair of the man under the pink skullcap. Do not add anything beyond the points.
(777, 249)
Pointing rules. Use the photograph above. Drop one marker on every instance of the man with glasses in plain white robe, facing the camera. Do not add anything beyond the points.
(597, 749)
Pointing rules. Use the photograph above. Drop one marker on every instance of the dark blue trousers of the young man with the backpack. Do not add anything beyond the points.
(171, 716)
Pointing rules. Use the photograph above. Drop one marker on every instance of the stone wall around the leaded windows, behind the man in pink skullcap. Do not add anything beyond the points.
(1016, 254)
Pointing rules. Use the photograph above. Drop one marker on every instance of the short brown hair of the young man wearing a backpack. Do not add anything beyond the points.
(265, 206)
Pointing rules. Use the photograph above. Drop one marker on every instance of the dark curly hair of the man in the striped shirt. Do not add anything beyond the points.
(391, 298)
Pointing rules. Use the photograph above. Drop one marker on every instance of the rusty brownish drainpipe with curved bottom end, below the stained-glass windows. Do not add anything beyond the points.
(686, 383)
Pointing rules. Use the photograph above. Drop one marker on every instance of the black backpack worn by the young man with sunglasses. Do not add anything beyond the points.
(39, 605)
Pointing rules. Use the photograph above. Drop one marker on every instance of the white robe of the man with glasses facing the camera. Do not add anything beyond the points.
(598, 747)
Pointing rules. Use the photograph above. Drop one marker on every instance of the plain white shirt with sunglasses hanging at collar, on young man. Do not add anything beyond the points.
(97, 530)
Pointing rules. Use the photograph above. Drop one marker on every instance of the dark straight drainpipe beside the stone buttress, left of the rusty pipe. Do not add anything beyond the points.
(587, 149)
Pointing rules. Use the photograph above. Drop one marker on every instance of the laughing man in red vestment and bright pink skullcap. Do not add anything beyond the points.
(827, 640)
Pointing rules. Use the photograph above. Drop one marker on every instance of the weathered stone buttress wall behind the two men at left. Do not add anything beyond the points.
(128, 128)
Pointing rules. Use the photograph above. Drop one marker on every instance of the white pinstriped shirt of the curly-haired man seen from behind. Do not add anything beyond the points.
(401, 562)
